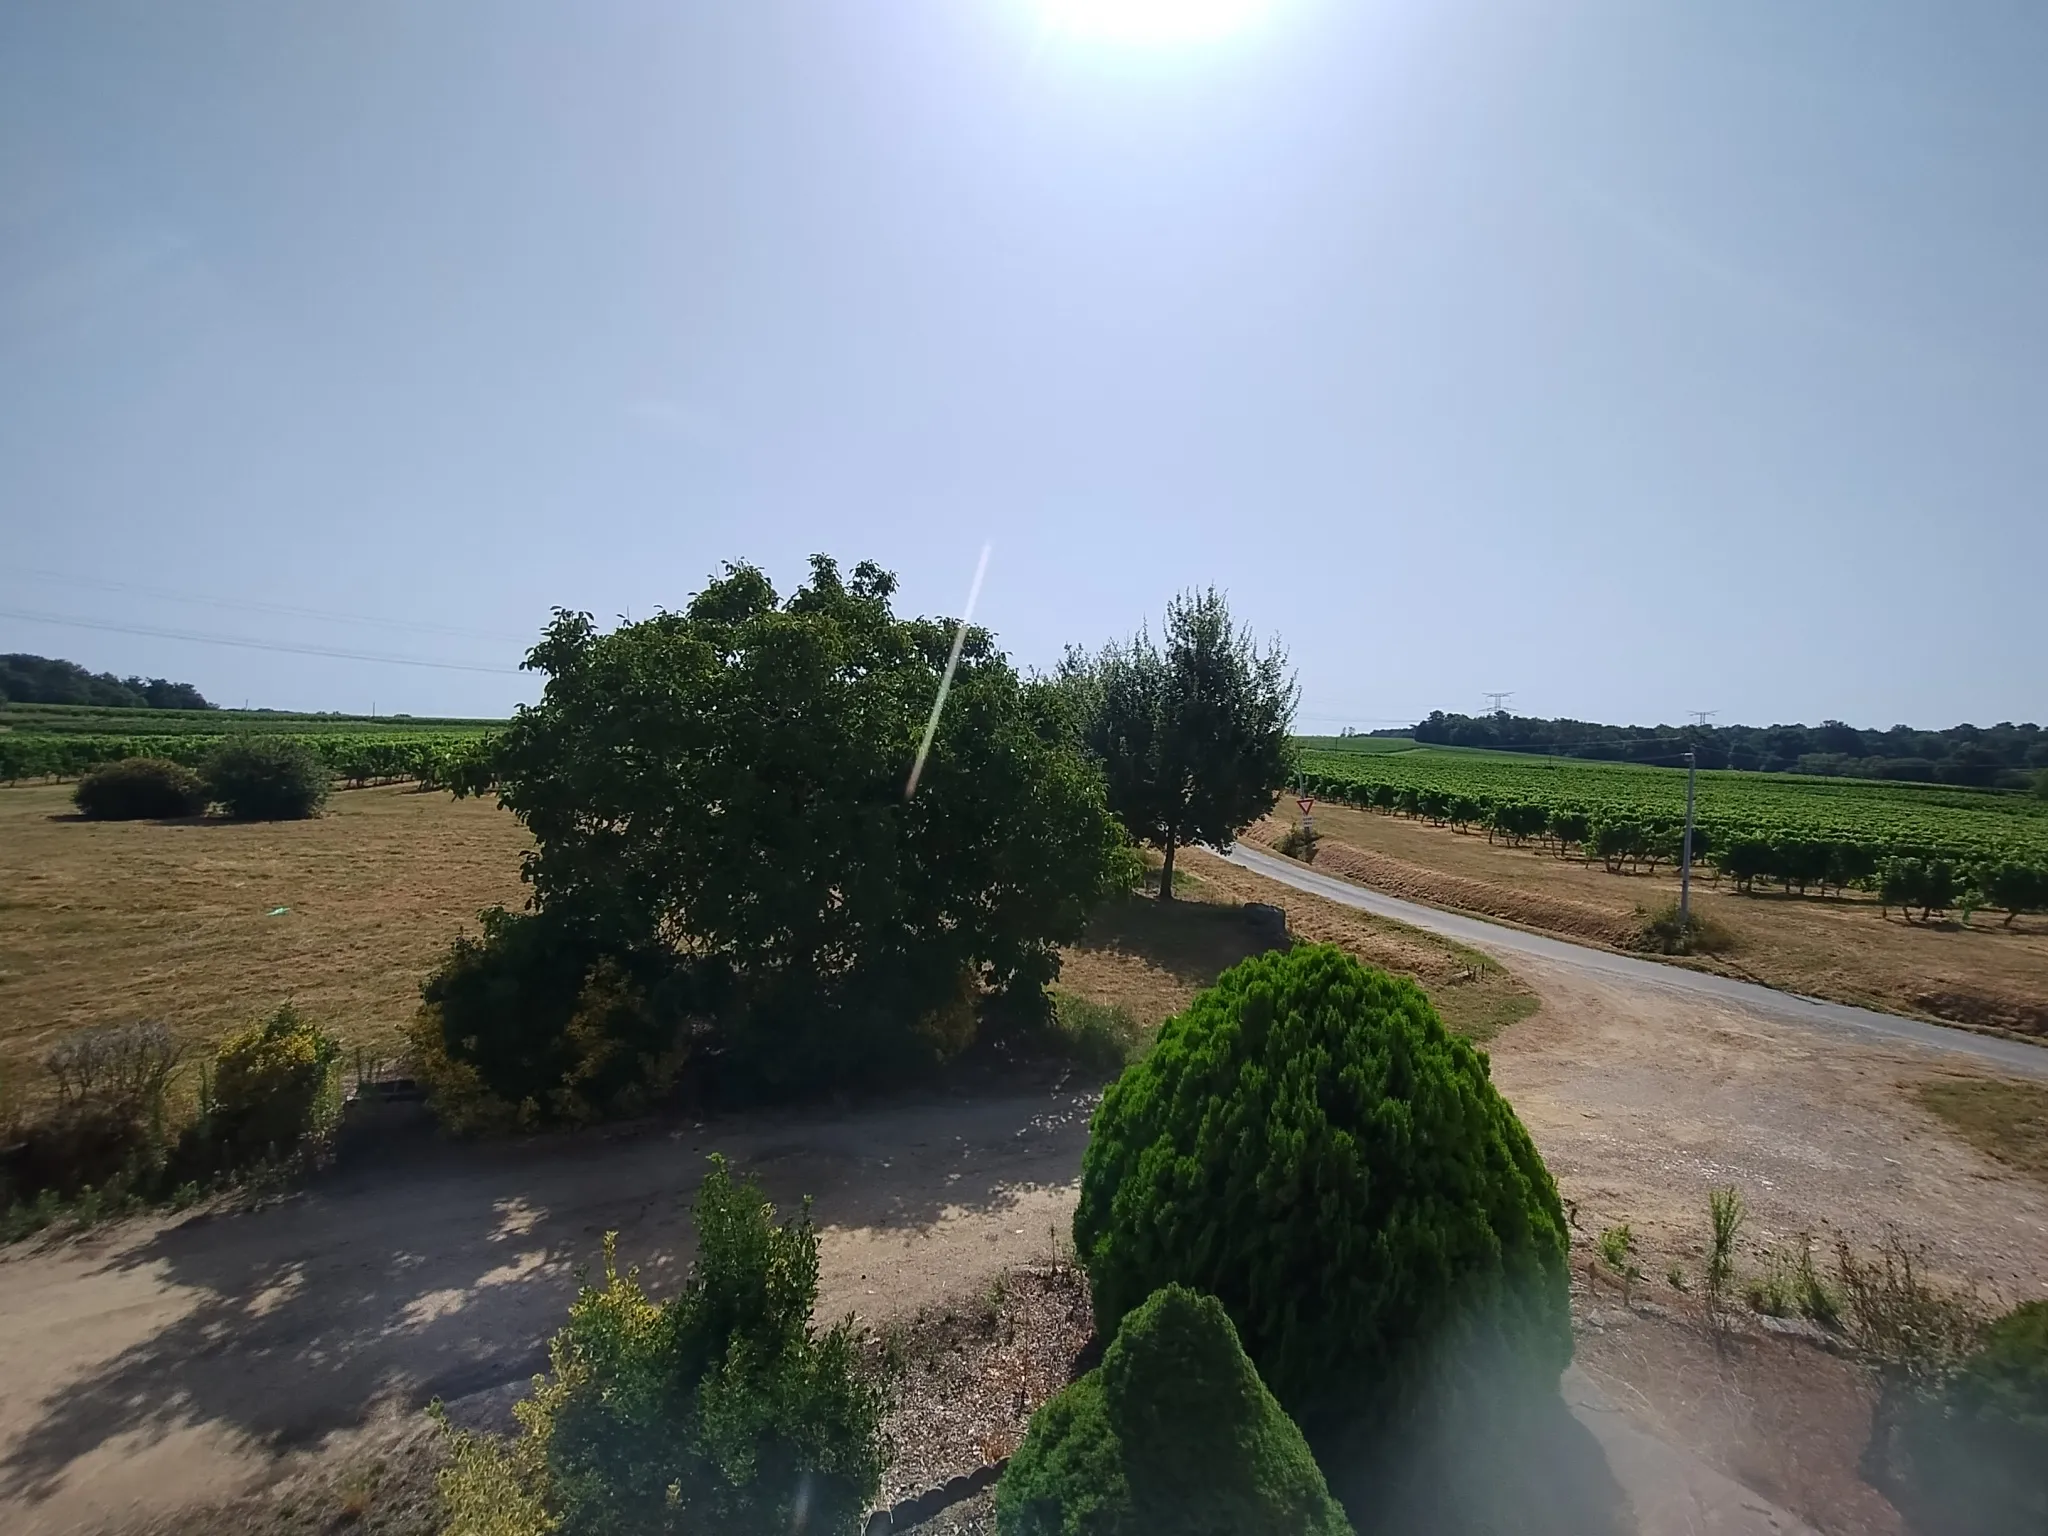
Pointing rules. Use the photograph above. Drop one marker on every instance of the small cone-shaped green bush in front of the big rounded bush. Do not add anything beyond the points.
(1172, 1435)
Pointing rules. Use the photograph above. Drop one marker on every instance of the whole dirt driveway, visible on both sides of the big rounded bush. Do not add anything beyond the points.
(167, 1363)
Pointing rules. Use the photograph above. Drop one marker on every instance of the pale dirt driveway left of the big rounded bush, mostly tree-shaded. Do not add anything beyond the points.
(169, 1363)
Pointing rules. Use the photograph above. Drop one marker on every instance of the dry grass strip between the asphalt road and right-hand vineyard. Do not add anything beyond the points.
(1983, 976)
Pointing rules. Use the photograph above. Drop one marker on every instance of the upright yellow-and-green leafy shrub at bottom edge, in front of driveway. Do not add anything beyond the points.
(718, 1410)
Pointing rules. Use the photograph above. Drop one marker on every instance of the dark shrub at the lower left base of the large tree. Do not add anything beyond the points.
(536, 1025)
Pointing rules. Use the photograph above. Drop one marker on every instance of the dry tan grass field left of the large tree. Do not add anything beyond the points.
(120, 921)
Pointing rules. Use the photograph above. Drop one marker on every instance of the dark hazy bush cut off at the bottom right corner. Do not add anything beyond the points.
(1979, 1449)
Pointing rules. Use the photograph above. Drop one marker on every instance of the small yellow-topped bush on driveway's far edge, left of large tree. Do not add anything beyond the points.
(275, 1089)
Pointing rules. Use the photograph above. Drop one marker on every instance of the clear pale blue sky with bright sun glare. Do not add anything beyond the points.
(1633, 357)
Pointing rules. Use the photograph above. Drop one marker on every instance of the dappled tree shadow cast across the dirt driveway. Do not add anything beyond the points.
(433, 1271)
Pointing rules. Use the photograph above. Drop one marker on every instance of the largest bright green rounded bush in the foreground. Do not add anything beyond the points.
(1316, 1150)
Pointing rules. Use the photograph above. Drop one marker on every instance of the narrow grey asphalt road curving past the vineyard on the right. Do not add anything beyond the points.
(1791, 1009)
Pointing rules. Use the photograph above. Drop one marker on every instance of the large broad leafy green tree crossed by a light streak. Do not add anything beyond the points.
(728, 785)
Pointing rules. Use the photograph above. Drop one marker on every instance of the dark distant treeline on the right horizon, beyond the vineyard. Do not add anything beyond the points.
(1965, 755)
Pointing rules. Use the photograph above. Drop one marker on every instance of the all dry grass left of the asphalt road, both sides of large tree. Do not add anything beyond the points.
(179, 923)
